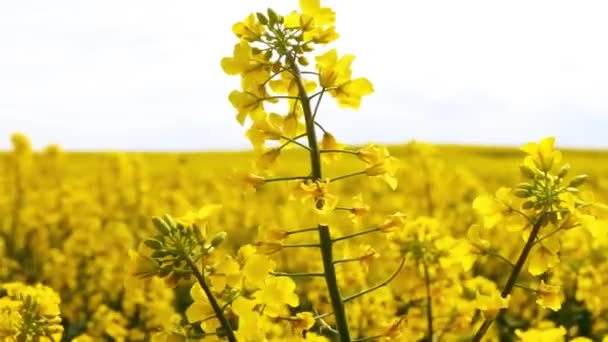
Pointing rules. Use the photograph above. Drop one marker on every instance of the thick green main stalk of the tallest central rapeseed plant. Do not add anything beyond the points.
(324, 233)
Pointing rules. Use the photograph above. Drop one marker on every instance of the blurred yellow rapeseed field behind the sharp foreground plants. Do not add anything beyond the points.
(68, 221)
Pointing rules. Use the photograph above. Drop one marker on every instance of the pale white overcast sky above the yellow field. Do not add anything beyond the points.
(144, 74)
